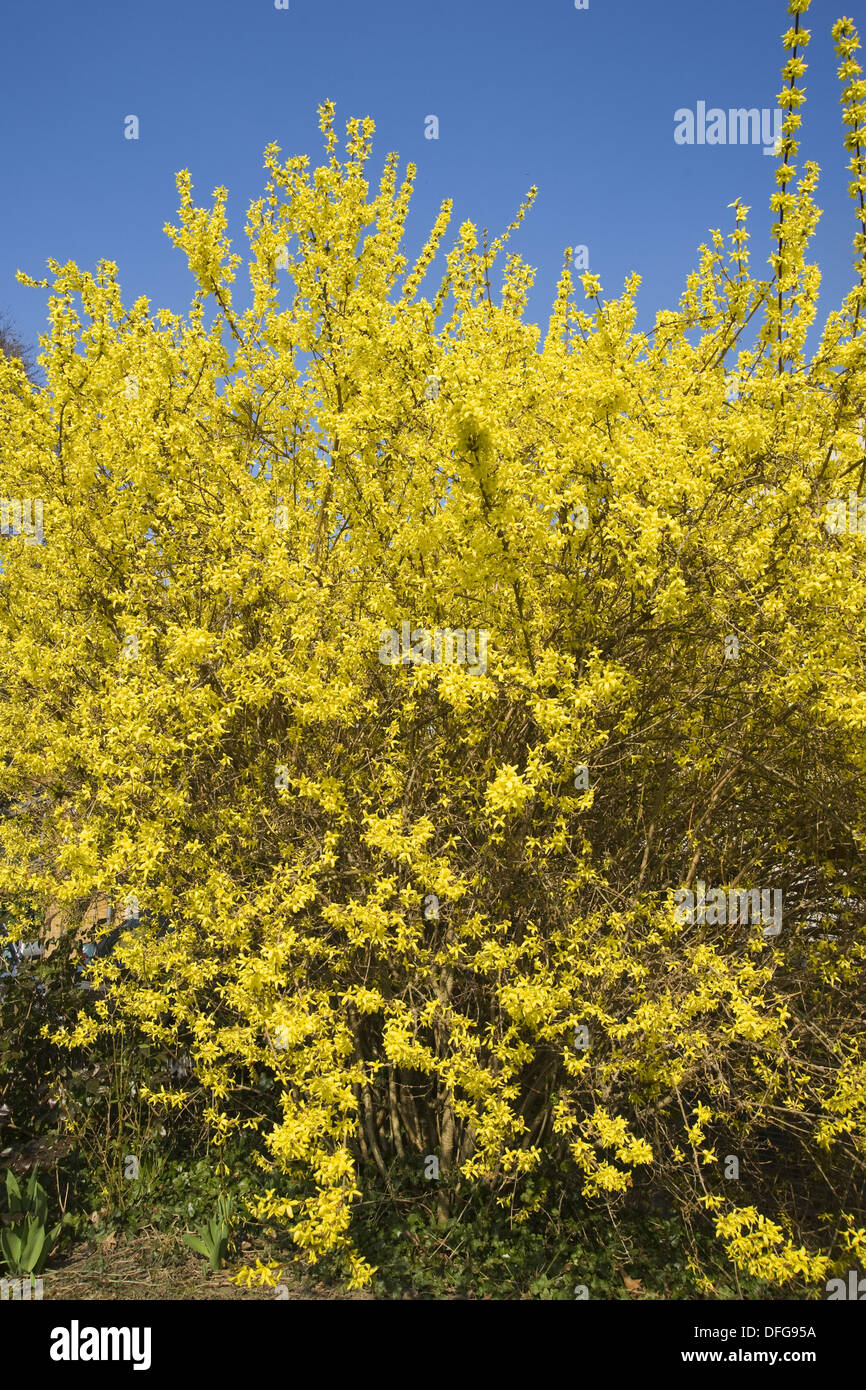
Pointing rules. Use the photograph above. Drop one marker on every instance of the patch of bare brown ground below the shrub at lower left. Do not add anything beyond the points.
(154, 1266)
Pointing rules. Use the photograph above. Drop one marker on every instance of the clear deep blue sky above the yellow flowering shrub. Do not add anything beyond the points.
(580, 104)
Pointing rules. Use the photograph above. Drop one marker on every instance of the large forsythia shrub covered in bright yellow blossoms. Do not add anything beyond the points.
(434, 900)
